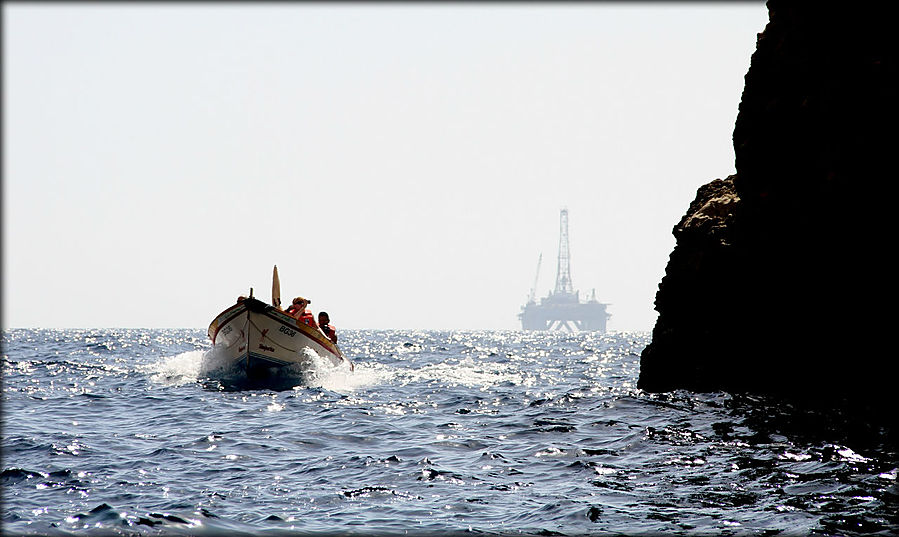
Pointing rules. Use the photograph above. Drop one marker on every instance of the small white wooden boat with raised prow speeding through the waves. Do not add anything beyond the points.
(261, 339)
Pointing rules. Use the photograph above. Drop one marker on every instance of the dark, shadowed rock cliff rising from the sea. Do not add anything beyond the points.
(782, 278)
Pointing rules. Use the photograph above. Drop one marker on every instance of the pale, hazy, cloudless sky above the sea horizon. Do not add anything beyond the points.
(403, 164)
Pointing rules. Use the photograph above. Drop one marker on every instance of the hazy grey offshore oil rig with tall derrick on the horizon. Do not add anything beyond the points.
(562, 309)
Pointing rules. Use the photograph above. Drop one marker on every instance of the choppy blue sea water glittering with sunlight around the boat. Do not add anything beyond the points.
(145, 432)
